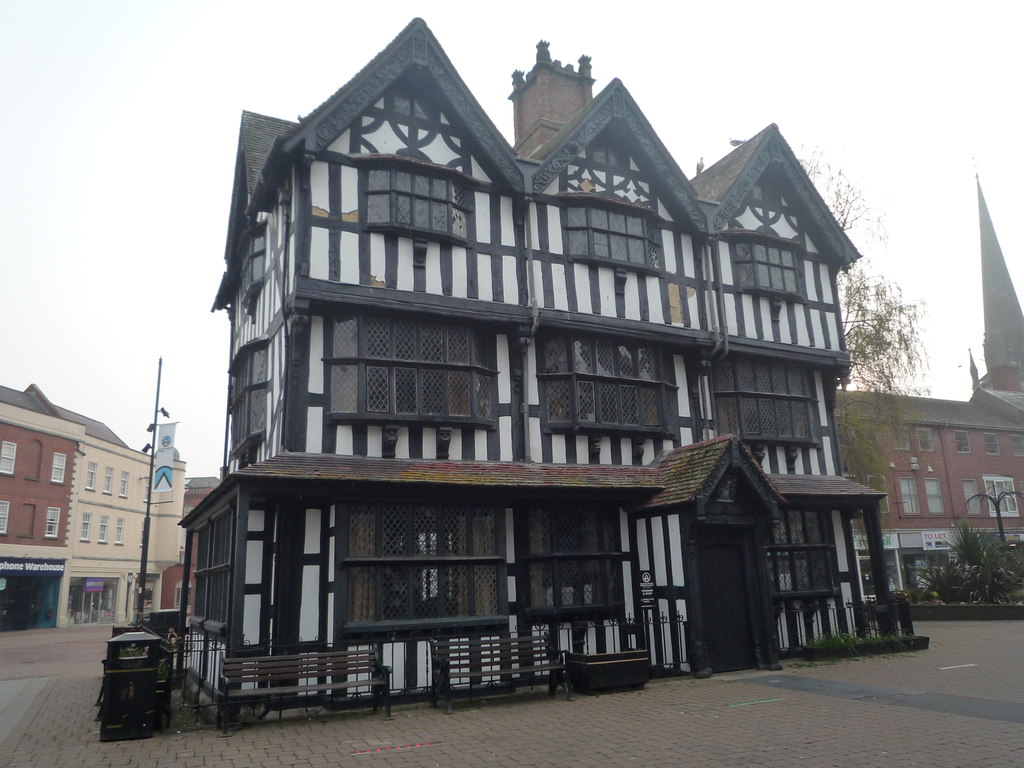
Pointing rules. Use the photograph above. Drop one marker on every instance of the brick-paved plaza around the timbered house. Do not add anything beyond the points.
(959, 704)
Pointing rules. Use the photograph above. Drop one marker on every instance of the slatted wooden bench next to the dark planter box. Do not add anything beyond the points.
(514, 660)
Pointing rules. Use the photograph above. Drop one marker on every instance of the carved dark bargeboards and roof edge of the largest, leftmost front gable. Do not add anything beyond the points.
(417, 50)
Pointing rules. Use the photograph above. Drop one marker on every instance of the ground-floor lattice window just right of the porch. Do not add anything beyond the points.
(800, 553)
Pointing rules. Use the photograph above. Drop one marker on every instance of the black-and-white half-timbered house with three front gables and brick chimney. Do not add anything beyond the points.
(479, 390)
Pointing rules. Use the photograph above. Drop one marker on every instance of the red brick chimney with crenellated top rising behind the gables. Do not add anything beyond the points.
(547, 100)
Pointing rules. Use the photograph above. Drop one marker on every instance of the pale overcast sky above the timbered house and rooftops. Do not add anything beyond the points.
(121, 124)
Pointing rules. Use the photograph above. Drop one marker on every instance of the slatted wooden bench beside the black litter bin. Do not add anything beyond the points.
(290, 681)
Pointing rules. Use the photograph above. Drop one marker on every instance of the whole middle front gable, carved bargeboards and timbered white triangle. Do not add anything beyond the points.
(611, 150)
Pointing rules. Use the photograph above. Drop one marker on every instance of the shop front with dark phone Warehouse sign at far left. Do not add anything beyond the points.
(29, 589)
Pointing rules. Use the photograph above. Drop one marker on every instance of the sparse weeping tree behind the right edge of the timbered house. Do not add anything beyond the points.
(882, 333)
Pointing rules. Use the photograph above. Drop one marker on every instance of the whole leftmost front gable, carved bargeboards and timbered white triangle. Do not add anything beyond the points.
(412, 73)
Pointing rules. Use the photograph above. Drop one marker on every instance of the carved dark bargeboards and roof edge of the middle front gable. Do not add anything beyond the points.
(615, 105)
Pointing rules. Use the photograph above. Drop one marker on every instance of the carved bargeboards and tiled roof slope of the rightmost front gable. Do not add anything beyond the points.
(730, 181)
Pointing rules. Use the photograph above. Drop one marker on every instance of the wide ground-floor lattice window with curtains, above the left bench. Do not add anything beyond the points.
(412, 564)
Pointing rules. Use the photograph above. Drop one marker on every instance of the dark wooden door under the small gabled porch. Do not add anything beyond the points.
(726, 606)
